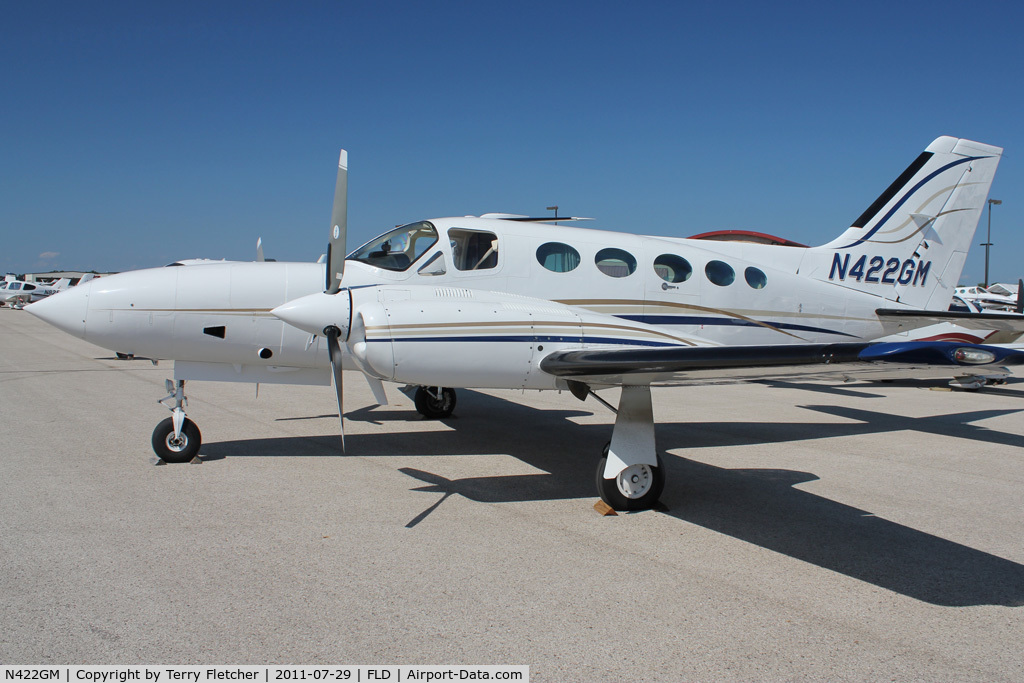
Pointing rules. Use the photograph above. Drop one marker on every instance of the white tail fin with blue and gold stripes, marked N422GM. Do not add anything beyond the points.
(911, 245)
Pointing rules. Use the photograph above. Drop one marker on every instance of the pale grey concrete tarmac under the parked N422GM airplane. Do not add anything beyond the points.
(810, 533)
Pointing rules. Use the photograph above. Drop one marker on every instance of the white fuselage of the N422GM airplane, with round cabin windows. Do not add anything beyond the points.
(642, 290)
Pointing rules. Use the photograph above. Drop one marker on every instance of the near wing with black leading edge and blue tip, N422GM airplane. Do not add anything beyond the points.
(708, 365)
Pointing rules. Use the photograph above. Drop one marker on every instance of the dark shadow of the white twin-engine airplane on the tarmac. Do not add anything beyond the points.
(758, 506)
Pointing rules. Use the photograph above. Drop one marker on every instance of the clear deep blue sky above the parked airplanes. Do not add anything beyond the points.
(138, 134)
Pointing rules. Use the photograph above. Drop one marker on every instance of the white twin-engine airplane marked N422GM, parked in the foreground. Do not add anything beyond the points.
(503, 302)
